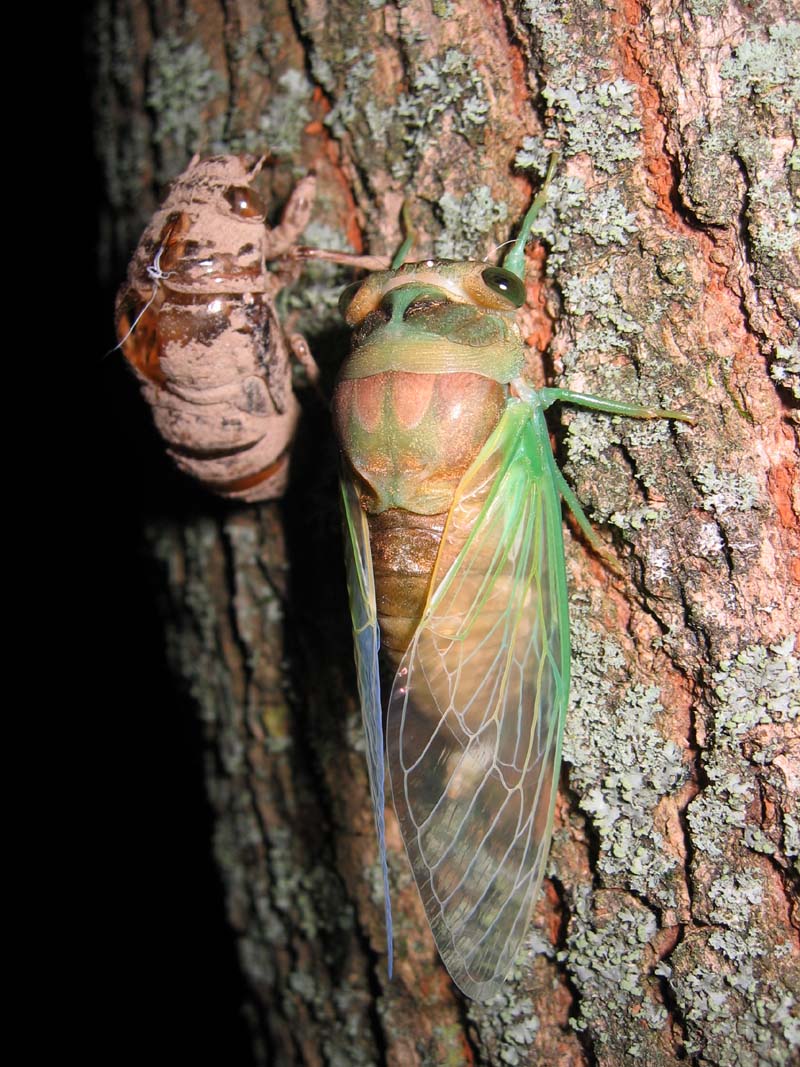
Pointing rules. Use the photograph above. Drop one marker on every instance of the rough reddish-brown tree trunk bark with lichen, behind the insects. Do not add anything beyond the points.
(668, 931)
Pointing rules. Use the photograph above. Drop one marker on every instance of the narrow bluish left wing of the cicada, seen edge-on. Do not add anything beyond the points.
(364, 613)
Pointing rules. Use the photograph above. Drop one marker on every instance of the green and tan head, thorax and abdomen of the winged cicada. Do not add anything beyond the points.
(410, 436)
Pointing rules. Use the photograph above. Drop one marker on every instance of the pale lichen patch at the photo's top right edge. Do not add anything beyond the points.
(767, 72)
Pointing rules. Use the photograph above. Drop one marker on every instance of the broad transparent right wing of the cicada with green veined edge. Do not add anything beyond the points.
(477, 710)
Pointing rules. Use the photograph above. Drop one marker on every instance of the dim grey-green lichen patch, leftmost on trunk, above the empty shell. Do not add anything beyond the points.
(182, 85)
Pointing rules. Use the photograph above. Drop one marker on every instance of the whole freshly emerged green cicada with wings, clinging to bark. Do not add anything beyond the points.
(455, 555)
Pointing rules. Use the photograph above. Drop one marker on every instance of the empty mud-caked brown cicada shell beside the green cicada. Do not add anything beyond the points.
(197, 322)
